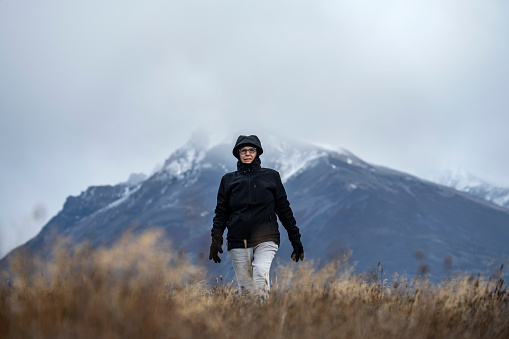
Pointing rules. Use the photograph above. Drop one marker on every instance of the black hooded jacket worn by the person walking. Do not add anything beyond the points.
(248, 201)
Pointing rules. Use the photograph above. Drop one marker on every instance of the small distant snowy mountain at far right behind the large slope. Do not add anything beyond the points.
(465, 182)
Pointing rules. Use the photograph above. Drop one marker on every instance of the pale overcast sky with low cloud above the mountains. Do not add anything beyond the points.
(91, 91)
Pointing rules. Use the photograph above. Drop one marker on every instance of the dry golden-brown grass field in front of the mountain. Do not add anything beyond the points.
(139, 289)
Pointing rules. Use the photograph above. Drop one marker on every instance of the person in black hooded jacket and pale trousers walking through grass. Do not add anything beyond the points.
(248, 201)
